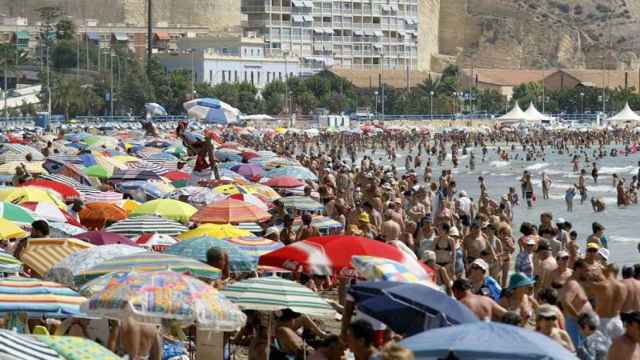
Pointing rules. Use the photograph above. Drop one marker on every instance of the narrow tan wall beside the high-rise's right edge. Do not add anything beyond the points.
(428, 30)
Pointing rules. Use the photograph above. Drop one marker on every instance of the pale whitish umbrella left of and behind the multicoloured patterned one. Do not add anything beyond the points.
(66, 269)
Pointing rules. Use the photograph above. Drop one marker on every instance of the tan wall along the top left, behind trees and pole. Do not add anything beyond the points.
(218, 15)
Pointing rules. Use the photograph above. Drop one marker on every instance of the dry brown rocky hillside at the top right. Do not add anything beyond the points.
(534, 33)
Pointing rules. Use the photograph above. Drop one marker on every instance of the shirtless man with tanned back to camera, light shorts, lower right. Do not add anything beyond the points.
(609, 295)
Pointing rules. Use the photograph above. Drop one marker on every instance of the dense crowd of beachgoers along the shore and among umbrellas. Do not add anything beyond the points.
(543, 276)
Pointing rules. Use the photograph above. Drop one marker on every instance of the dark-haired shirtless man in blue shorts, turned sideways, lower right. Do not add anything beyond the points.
(574, 300)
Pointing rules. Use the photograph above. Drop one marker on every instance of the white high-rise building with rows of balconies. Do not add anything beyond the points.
(357, 34)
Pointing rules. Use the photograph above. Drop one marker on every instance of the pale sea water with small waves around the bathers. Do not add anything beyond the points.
(622, 224)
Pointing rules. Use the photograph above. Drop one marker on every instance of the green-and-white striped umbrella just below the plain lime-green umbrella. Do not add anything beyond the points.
(147, 224)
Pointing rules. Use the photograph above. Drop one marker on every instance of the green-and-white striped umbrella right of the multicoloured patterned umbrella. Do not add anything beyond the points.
(274, 294)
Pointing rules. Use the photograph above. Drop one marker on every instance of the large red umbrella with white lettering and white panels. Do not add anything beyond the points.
(327, 255)
